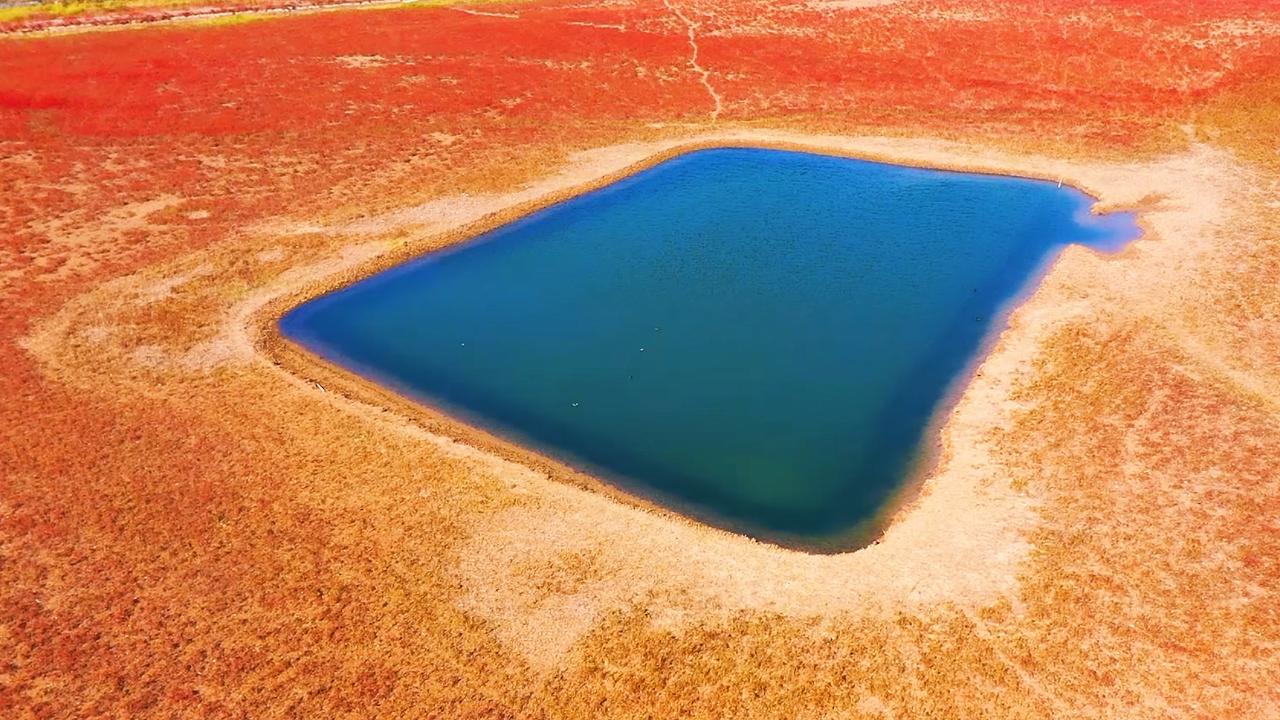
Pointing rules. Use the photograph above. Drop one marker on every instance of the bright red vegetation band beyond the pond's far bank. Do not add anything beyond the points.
(295, 108)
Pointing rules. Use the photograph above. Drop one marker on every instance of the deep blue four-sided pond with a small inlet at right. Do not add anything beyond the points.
(757, 339)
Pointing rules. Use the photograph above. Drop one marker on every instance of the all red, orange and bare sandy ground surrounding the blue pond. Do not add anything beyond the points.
(190, 530)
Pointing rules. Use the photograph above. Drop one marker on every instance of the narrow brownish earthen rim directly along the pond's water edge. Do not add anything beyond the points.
(303, 363)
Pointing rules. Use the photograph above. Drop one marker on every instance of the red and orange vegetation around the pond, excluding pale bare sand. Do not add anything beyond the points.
(212, 544)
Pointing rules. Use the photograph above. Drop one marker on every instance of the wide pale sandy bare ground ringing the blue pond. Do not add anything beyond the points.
(963, 543)
